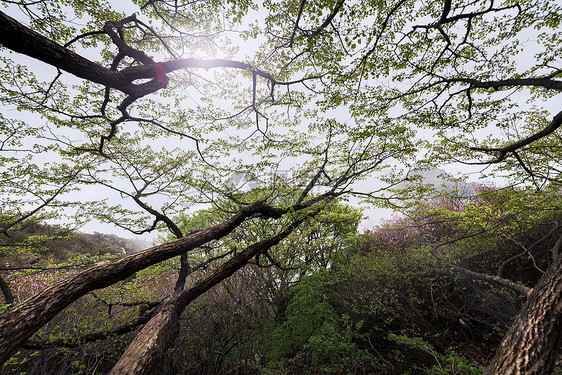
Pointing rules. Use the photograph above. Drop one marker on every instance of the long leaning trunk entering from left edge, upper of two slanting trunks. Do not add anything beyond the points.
(17, 325)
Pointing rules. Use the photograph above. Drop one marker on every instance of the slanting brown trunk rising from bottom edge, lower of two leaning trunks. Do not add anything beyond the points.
(159, 334)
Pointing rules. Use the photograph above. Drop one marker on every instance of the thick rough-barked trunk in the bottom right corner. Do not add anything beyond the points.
(533, 341)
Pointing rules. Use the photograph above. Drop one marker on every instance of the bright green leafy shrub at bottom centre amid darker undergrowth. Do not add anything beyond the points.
(314, 336)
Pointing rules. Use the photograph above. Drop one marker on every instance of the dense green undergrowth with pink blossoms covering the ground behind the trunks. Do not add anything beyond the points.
(381, 304)
